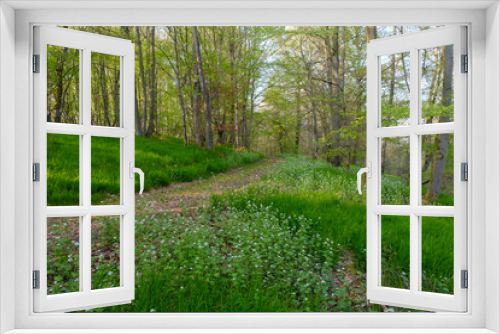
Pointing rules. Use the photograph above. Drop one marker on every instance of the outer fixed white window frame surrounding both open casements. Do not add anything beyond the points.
(484, 267)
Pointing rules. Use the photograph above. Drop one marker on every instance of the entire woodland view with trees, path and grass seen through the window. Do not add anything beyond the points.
(284, 108)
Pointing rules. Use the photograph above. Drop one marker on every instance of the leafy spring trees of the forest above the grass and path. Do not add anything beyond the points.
(272, 89)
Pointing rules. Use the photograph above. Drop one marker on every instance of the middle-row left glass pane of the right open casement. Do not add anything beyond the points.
(395, 170)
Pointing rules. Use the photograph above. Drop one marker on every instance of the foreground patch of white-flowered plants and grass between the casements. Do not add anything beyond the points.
(231, 260)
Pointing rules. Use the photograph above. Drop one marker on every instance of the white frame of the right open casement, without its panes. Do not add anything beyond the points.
(414, 44)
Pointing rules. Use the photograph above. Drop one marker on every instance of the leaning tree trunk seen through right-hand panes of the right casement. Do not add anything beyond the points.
(442, 139)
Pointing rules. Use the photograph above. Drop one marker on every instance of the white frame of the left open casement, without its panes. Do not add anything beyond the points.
(86, 44)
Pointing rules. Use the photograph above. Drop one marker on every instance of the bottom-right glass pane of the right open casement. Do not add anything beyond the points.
(437, 254)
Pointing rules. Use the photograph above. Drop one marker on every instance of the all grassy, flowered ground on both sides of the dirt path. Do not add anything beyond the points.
(277, 244)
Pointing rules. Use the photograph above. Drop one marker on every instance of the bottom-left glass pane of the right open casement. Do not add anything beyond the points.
(395, 252)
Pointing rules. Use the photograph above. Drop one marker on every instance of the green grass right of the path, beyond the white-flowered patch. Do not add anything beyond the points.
(328, 196)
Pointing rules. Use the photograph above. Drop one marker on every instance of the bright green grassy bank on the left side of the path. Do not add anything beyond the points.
(164, 161)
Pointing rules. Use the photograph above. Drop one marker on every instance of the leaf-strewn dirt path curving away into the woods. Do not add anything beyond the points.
(191, 195)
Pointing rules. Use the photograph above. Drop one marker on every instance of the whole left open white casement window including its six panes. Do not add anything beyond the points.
(83, 244)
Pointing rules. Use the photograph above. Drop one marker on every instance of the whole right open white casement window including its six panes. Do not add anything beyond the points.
(416, 137)
